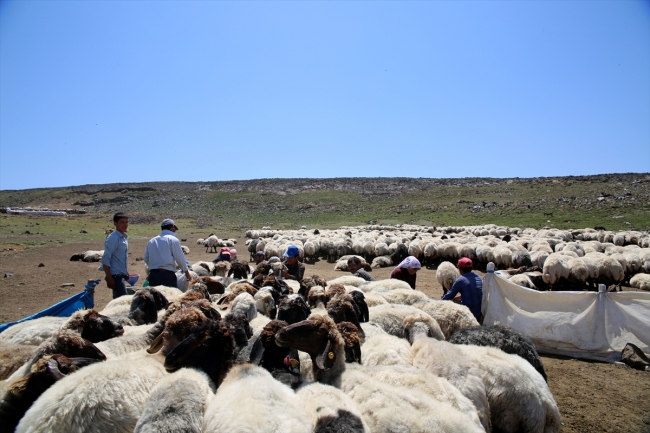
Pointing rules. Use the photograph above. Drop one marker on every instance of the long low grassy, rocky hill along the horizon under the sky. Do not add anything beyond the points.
(612, 201)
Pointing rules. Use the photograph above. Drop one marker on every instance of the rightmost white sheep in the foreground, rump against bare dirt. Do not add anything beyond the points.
(519, 398)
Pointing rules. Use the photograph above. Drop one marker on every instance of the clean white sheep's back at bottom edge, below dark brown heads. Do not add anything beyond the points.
(270, 405)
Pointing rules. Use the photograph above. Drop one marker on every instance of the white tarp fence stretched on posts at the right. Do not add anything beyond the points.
(586, 325)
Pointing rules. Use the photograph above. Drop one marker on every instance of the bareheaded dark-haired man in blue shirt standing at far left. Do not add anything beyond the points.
(116, 250)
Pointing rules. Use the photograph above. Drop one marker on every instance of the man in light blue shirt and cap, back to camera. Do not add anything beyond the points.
(162, 255)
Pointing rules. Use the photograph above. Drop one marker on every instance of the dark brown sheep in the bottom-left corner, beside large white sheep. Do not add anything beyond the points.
(22, 392)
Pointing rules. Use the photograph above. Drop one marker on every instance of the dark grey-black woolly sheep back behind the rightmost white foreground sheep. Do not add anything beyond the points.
(504, 338)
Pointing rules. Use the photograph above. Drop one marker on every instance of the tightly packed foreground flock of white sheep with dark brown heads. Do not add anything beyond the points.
(270, 355)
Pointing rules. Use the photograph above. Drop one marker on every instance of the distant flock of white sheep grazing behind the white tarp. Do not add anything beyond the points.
(538, 259)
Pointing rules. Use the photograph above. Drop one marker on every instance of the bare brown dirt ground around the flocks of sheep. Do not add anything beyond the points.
(591, 396)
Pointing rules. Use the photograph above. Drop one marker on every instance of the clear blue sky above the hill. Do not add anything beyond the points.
(133, 91)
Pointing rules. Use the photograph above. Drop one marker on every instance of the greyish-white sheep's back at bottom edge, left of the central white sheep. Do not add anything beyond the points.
(177, 403)
